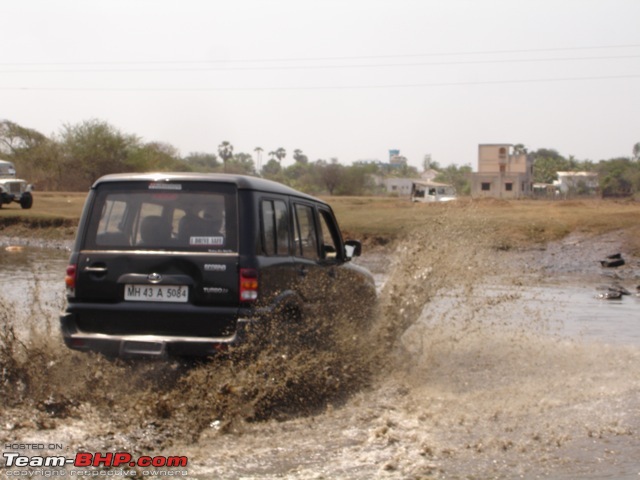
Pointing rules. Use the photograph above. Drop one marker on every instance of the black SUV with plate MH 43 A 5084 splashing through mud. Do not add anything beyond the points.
(181, 264)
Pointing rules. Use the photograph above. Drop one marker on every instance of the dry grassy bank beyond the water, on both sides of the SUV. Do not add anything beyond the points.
(379, 220)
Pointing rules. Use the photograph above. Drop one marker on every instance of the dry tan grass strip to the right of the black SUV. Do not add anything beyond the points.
(515, 222)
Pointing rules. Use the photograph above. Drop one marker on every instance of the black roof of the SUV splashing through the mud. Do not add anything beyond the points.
(242, 182)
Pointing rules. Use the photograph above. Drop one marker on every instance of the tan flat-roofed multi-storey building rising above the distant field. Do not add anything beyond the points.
(502, 172)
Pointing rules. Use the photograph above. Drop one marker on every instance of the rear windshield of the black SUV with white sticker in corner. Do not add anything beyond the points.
(189, 216)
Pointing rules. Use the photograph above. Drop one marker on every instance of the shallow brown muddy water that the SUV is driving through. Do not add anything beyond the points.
(497, 365)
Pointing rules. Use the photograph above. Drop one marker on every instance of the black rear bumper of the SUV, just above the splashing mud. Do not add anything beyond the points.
(149, 345)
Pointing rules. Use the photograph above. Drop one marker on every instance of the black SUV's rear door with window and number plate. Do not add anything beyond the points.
(160, 242)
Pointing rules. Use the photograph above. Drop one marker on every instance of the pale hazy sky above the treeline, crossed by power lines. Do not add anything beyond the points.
(345, 79)
